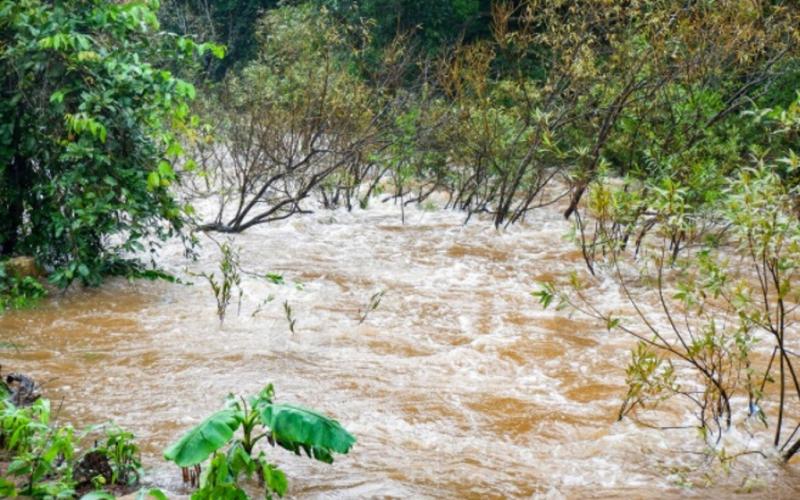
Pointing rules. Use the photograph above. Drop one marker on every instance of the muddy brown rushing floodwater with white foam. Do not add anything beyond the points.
(458, 385)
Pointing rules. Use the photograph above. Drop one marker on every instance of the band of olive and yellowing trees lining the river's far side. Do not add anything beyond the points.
(552, 97)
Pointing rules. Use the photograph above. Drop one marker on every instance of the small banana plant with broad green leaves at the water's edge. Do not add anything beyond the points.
(231, 456)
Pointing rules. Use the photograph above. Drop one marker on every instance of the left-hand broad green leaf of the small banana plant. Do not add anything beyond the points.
(204, 439)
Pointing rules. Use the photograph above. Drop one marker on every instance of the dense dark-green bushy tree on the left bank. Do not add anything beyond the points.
(89, 132)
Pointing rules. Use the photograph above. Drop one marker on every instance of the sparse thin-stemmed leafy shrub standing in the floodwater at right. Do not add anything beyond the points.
(713, 307)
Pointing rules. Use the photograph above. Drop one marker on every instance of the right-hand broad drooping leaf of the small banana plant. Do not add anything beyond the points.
(295, 427)
